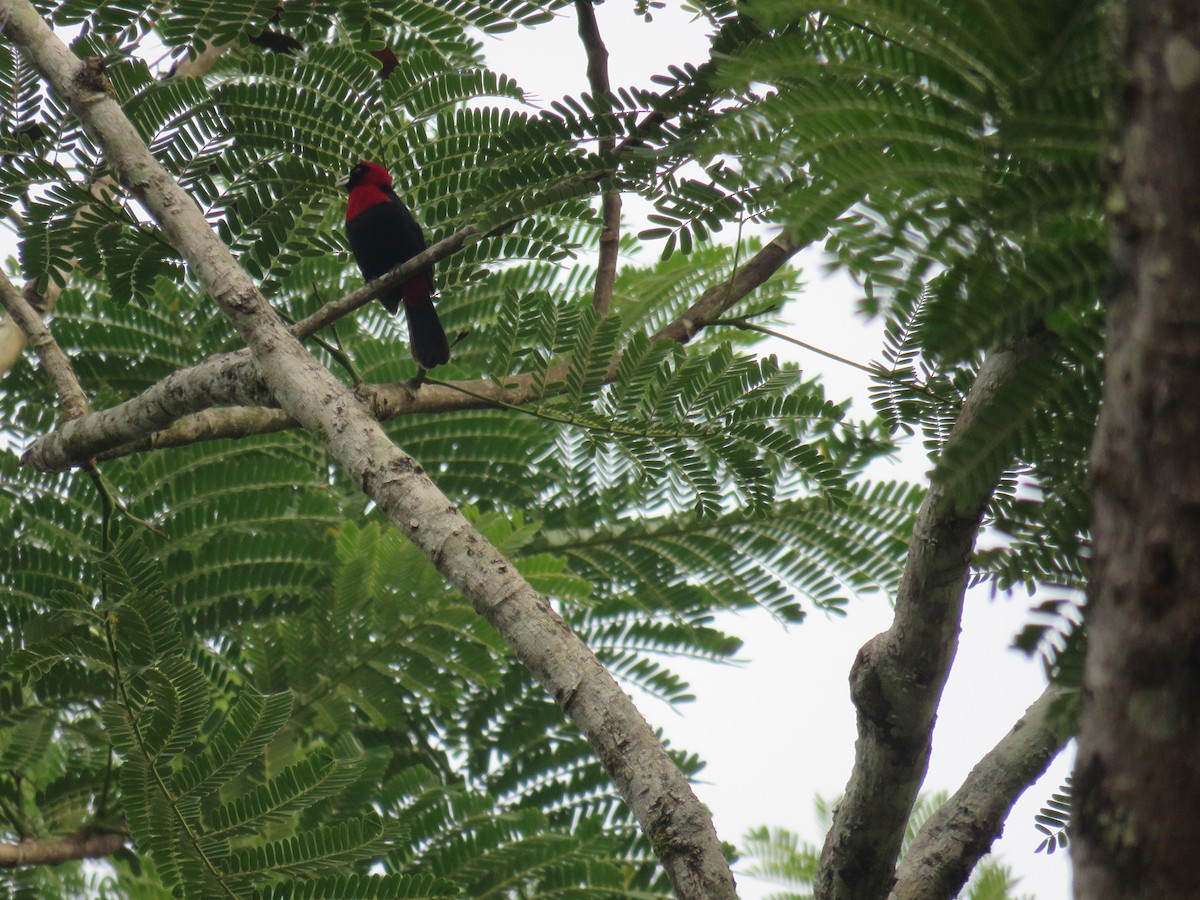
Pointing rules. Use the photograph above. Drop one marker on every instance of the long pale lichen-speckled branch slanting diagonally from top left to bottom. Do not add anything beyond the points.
(679, 827)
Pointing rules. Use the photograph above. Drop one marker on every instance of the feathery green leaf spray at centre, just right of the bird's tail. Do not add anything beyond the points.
(673, 421)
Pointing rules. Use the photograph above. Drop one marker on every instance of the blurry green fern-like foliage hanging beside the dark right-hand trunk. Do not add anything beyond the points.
(950, 152)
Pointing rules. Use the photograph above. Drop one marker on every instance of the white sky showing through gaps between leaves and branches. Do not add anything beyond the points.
(781, 729)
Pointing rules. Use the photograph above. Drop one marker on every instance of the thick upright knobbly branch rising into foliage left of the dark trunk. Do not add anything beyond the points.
(898, 677)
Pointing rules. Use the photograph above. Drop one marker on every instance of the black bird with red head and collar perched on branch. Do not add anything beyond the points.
(385, 235)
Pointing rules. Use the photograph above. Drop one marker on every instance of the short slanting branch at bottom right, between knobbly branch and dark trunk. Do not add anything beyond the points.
(959, 835)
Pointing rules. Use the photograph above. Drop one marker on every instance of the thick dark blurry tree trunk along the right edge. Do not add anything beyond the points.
(1138, 773)
